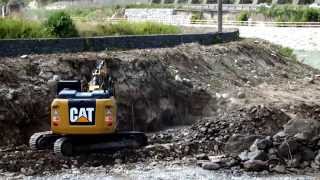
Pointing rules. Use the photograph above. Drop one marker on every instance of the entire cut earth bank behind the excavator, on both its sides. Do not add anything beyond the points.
(156, 88)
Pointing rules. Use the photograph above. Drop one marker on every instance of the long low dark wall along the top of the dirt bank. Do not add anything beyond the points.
(44, 46)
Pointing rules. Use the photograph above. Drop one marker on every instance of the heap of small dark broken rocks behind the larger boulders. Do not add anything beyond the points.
(258, 119)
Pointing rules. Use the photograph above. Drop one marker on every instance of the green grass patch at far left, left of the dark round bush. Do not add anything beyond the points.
(17, 28)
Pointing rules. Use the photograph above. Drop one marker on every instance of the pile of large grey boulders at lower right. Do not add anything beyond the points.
(292, 150)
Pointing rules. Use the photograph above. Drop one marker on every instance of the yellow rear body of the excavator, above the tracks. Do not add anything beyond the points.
(104, 121)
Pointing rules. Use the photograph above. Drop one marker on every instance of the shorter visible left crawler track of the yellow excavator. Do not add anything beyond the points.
(42, 140)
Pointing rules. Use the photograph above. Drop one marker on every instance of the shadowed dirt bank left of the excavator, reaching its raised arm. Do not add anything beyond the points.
(26, 92)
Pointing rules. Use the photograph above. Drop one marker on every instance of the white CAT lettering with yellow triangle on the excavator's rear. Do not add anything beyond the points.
(81, 115)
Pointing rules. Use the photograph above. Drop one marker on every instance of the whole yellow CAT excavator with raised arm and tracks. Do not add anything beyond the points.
(83, 122)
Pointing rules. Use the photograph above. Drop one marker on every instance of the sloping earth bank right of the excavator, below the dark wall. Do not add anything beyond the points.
(177, 86)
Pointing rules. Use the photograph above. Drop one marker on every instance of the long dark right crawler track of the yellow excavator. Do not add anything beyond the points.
(75, 145)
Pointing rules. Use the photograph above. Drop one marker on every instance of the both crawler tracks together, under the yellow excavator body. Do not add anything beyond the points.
(64, 145)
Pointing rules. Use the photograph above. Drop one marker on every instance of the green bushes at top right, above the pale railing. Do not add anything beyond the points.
(291, 13)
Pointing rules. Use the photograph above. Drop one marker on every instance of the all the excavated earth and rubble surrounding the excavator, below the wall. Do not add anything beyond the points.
(242, 100)
